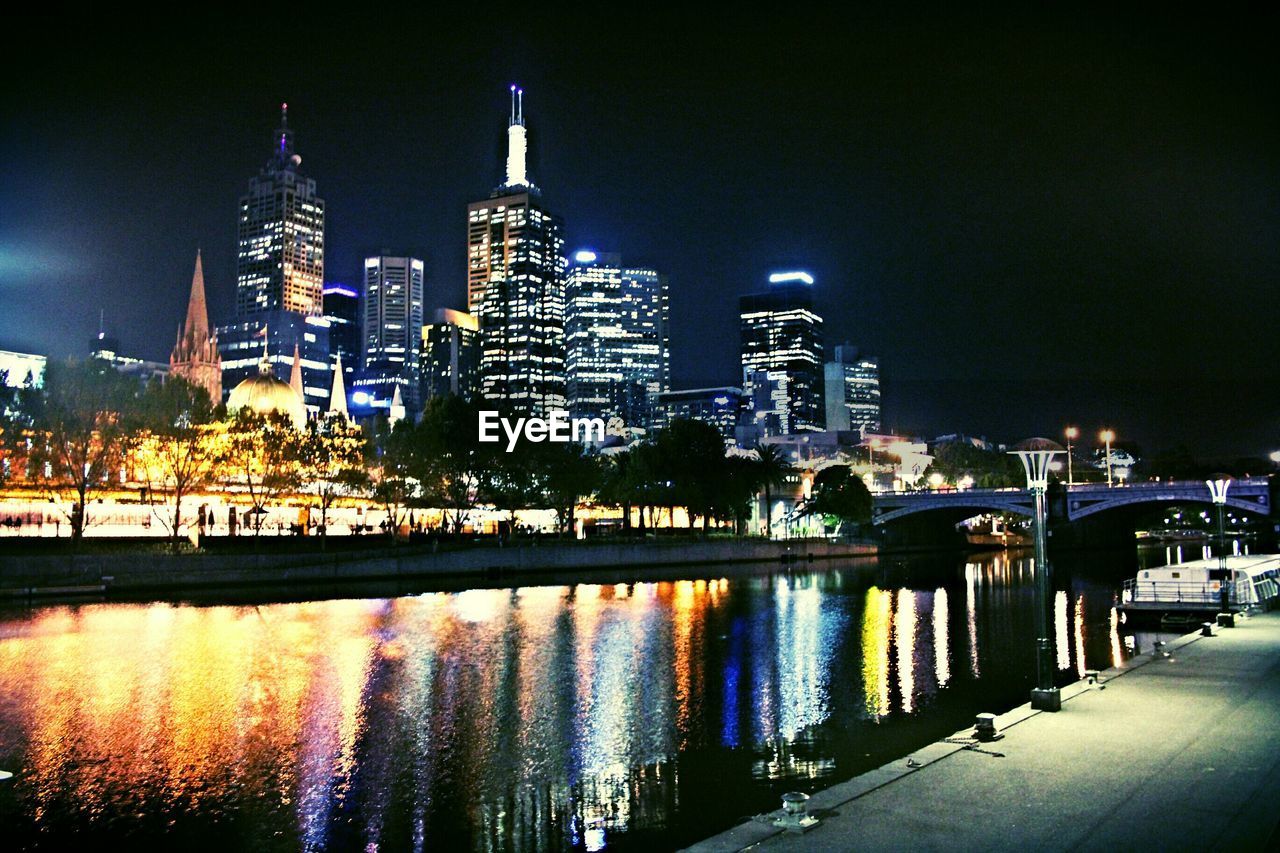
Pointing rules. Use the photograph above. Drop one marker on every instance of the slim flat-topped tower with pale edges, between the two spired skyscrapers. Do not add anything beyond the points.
(391, 329)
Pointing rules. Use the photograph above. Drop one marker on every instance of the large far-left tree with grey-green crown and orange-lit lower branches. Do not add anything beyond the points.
(80, 428)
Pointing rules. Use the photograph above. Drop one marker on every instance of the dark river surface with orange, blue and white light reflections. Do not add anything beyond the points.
(632, 717)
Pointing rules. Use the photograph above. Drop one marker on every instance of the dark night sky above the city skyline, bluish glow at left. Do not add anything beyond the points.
(1032, 222)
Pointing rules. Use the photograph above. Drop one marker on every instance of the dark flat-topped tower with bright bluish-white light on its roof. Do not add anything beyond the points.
(783, 340)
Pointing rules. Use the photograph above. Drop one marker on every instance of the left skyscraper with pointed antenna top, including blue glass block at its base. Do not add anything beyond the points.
(280, 275)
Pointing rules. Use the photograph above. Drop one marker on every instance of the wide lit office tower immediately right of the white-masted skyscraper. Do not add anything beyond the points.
(616, 340)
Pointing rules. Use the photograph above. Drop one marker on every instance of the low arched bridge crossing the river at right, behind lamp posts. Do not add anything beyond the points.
(1068, 504)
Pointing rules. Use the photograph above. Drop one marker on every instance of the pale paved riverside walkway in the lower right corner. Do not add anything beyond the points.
(1167, 754)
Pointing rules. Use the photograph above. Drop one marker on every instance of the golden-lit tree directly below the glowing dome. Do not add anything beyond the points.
(262, 453)
